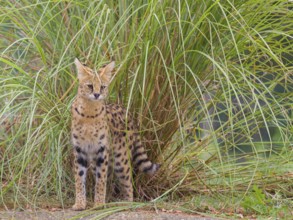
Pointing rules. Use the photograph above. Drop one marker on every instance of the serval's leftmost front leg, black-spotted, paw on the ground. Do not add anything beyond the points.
(81, 164)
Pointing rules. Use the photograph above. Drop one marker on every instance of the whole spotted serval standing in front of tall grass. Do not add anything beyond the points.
(104, 138)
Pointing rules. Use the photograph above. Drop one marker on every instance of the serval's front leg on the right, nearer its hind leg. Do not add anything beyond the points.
(100, 169)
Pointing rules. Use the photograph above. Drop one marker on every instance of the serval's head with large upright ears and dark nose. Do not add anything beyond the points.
(93, 85)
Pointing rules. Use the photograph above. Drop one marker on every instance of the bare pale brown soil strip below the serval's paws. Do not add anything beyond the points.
(68, 214)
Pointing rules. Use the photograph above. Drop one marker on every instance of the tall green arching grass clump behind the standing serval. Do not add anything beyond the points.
(209, 81)
